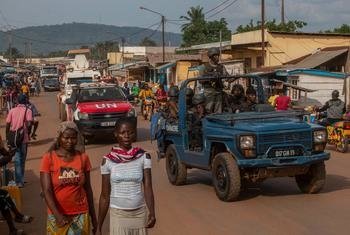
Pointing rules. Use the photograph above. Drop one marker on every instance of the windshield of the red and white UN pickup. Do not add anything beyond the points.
(100, 93)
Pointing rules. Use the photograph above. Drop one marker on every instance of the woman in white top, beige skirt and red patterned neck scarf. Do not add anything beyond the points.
(126, 170)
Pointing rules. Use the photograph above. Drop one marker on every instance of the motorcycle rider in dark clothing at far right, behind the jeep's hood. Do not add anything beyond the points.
(335, 108)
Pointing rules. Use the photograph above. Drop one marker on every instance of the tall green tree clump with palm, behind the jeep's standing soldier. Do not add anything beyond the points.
(197, 30)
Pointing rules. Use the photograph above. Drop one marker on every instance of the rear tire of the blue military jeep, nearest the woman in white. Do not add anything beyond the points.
(176, 170)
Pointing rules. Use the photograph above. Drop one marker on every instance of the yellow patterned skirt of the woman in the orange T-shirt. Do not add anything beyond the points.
(80, 225)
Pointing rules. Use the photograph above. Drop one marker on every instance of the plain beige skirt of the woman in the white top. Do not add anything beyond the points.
(124, 222)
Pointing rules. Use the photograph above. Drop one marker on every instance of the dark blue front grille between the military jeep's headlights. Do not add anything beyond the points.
(287, 138)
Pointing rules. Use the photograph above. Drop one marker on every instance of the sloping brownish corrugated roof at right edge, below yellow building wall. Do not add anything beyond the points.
(318, 58)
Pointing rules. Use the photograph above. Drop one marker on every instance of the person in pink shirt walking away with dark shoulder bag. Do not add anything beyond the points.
(18, 126)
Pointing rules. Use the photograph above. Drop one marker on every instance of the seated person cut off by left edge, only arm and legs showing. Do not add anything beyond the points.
(7, 205)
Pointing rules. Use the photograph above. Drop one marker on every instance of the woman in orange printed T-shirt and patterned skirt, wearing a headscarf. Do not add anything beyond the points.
(65, 182)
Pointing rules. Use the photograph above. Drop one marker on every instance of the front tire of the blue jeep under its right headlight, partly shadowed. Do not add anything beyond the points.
(314, 180)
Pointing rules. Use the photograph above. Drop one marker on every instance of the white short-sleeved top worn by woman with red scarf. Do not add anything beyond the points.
(126, 182)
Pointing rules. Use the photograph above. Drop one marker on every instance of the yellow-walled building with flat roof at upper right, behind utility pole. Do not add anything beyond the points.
(281, 47)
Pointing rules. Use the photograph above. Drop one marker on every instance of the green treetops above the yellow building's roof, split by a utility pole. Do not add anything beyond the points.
(272, 25)
